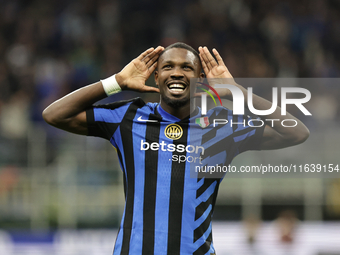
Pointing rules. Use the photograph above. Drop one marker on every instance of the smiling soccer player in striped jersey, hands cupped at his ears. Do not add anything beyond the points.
(167, 211)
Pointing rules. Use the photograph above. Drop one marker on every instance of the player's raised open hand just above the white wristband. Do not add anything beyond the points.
(134, 74)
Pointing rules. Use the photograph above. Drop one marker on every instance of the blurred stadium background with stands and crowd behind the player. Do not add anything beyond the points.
(63, 194)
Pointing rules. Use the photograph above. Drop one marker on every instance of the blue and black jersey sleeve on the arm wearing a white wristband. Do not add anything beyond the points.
(103, 120)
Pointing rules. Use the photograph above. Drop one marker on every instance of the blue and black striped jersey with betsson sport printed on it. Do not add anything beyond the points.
(168, 205)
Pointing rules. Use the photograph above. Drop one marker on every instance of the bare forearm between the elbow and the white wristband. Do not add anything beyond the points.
(73, 104)
